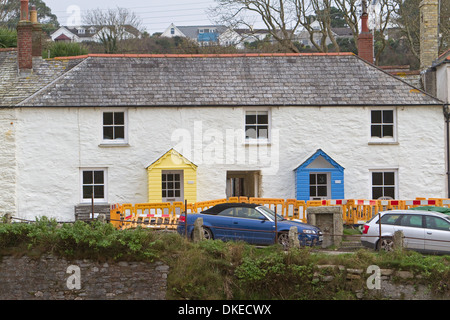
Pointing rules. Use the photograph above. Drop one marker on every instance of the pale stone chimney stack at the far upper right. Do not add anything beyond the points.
(429, 38)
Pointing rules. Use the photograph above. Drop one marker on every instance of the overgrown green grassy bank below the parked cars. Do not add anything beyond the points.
(214, 269)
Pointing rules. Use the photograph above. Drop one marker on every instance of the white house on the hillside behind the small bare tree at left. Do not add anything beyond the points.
(88, 33)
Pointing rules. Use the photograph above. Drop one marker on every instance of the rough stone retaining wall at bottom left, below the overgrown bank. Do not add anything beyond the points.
(52, 278)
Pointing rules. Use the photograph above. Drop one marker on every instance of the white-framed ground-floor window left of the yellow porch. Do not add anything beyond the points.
(93, 185)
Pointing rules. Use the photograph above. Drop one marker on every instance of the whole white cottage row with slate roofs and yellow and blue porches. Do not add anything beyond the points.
(152, 128)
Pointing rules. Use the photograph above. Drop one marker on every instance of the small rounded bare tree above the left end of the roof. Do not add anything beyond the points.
(114, 25)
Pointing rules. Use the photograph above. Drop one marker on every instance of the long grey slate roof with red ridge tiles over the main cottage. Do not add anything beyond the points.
(227, 80)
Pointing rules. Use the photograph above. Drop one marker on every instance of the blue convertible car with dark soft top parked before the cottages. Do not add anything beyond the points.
(251, 223)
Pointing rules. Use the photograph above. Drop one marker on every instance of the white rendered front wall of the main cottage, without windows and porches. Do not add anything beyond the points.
(54, 143)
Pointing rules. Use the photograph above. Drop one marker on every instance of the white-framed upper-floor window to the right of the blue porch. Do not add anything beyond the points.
(382, 124)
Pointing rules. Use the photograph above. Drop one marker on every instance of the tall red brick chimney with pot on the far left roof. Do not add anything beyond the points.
(24, 40)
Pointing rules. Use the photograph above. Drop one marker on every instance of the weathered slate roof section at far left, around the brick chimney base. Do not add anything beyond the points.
(13, 88)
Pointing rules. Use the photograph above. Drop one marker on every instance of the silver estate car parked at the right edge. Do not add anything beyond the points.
(424, 231)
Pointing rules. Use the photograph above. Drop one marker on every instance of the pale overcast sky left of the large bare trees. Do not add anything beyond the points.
(156, 15)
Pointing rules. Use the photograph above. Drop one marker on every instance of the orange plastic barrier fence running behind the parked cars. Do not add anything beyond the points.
(165, 215)
